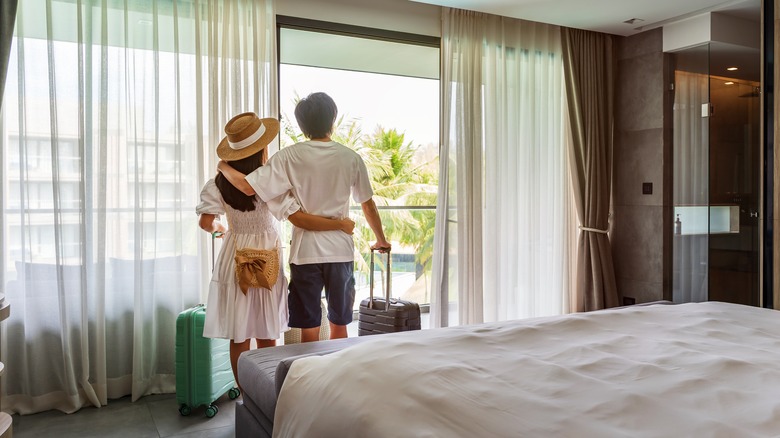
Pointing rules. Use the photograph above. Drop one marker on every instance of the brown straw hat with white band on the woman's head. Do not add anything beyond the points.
(246, 134)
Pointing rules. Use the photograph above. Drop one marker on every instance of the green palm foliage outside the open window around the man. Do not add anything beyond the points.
(398, 179)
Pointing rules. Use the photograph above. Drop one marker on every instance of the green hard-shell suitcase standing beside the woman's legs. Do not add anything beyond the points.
(203, 371)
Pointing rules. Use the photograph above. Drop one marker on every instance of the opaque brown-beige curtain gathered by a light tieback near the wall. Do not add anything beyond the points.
(588, 72)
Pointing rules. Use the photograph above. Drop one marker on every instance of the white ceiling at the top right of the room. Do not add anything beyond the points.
(608, 16)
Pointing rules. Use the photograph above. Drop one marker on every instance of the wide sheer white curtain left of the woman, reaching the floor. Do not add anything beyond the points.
(112, 112)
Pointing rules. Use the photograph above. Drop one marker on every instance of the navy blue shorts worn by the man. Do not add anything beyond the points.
(306, 284)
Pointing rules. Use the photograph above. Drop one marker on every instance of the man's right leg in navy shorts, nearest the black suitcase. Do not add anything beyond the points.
(340, 294)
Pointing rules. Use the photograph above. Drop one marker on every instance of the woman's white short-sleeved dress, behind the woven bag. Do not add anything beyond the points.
(230, 314)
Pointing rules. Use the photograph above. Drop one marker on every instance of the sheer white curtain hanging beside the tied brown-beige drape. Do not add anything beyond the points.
(502, 250)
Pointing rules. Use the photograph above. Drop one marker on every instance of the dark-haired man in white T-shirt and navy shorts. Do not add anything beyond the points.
(321, 174)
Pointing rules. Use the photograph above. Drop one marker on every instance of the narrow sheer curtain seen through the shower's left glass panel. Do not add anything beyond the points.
(691, 183)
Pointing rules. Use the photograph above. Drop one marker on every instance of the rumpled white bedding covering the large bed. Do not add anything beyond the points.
(694, 370)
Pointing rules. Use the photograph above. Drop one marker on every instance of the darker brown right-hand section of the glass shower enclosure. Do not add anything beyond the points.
(734, 190)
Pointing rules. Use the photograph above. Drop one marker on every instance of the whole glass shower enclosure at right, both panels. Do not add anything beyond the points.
(716, 187)
